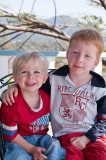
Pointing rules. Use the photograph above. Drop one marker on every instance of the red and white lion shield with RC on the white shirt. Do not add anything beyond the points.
(73, 108)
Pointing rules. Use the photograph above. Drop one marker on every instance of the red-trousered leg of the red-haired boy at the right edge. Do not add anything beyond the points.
(95, 150)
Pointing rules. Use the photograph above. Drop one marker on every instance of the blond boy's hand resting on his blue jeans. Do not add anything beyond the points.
(36, 153)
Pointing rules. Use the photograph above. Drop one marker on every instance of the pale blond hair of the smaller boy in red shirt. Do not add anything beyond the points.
(23, 58)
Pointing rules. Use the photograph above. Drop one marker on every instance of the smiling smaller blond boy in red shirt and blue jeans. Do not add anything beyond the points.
(25, 123)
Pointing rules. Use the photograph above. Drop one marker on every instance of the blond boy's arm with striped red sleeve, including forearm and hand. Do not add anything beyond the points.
(9, 121)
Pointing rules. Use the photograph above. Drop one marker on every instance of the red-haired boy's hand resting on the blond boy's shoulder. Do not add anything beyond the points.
(8, 95)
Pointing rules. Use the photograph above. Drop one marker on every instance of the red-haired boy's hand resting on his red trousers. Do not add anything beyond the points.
(80, 142)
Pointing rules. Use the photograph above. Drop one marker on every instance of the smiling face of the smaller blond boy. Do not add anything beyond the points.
(31, 76)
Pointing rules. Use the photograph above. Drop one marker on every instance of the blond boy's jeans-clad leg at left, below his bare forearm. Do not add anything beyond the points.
(15, 152)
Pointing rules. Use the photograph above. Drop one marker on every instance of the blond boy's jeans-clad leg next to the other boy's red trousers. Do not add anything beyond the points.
(54, 151)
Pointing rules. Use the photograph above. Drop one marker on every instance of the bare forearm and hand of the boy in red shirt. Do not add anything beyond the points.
(35, 152)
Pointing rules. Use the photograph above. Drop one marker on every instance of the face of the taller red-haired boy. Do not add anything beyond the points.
(81, 58)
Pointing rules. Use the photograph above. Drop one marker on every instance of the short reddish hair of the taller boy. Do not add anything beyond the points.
(89, 35)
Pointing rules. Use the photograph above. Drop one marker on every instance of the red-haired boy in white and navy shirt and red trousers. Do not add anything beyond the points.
(78, 99)
